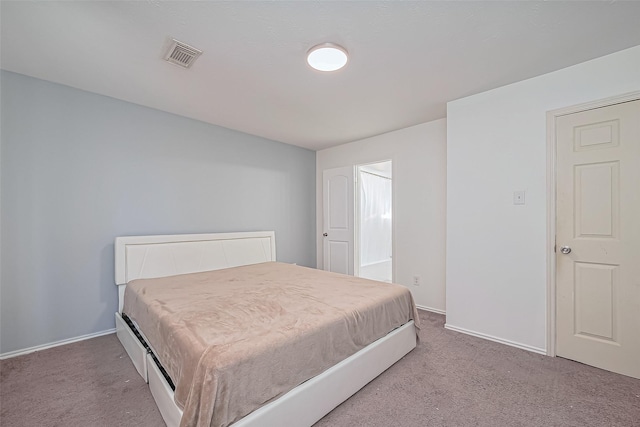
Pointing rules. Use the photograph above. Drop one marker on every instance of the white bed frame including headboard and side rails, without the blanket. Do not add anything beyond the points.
(158, 256)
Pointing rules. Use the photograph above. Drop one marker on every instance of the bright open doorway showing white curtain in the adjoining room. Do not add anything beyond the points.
(374, 226)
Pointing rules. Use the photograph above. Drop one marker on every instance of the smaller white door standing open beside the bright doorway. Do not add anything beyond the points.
(338, 208)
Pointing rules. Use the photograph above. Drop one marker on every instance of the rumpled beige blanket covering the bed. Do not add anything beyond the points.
(234, 339)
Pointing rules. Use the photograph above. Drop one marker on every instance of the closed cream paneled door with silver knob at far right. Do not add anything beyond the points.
(598, 238)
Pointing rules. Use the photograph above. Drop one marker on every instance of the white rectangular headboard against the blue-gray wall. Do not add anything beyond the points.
(144, 257)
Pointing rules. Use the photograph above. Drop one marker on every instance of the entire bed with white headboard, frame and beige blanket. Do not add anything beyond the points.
(157, 266)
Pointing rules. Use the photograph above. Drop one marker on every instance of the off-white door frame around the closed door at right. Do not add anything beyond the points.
(551, 202)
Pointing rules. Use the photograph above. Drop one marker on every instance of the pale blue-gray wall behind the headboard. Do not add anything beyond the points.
(79, 169)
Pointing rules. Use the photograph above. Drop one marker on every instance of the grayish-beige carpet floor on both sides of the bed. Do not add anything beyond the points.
(450, 379)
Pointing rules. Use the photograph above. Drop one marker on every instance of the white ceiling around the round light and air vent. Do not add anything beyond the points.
(407, 59)
